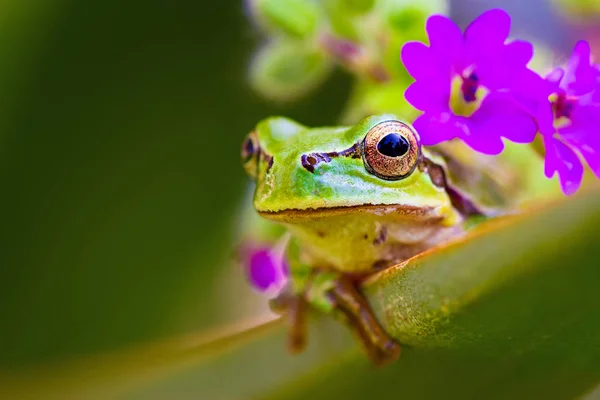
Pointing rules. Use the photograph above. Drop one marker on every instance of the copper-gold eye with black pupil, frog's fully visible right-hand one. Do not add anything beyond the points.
(391, 150)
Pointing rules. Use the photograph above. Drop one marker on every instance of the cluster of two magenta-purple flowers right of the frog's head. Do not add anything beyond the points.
(475, 86)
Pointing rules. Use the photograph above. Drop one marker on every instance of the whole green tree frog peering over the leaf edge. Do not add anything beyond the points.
(355, 200)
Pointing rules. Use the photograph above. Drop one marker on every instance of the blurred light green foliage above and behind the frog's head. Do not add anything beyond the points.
(362, 36)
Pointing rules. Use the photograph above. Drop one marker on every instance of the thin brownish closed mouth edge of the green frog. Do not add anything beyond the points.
(399, 211)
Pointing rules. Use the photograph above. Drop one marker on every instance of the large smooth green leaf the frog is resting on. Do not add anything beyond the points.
(510, 311)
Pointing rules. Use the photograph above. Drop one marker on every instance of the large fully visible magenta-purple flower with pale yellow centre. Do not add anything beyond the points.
(466, 83)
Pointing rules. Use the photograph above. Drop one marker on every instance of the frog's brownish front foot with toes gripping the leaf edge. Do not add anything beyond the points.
(337, 295)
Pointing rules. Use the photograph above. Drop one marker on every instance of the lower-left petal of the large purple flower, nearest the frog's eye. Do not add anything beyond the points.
(434, 128)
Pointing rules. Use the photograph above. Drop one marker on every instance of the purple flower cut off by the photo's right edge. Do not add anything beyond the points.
(570, 117)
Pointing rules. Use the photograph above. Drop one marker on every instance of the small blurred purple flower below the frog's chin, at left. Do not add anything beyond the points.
(265, 270)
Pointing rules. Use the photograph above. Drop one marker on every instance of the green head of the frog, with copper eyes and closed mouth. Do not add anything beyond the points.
(376, 165)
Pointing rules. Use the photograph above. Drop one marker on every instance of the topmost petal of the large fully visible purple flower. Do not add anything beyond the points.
(490, 28)
